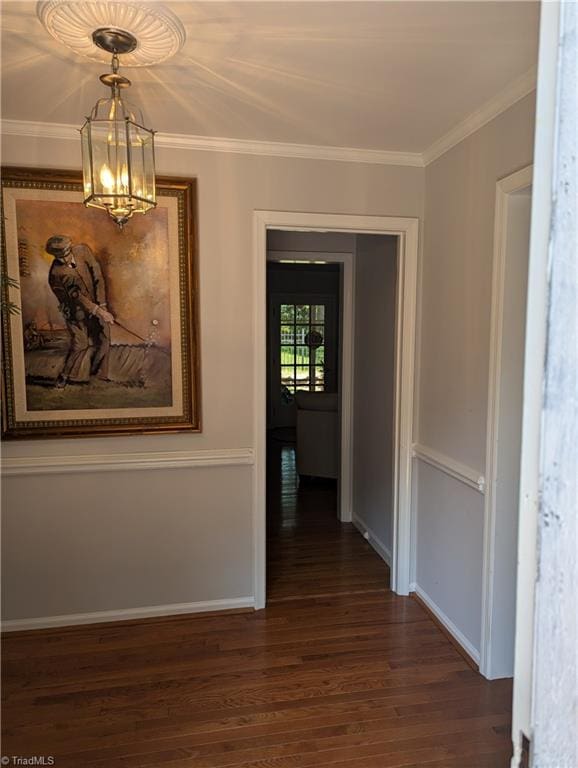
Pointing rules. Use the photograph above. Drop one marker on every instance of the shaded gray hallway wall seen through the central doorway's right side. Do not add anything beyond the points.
(374, 372)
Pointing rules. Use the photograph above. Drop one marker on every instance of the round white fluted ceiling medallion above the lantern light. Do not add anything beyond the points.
(159, 32)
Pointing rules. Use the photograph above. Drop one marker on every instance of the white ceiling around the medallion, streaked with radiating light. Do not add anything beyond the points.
(375, 75)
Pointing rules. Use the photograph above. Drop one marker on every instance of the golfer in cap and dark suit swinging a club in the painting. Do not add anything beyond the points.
(77, 281)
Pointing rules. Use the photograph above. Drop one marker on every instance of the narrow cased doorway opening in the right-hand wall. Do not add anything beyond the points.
(504, 428)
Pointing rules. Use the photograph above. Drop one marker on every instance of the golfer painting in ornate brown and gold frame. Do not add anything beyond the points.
(103, 335)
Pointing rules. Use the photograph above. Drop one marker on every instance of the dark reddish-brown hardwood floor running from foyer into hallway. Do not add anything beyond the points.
(336, 671)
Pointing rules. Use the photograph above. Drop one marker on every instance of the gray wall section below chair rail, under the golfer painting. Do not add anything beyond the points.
(114, 540)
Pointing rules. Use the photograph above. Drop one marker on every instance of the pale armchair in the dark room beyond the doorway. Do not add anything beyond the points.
(317, 450)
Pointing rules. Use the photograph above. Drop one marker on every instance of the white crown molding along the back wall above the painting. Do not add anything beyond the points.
(67, 132)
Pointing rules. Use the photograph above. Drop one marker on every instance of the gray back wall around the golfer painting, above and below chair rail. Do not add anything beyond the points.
(84, 542)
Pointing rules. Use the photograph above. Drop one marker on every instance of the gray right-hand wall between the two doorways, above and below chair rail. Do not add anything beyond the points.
(454, 357)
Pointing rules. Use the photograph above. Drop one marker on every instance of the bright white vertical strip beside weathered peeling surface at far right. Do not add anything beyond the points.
(536, 326)
